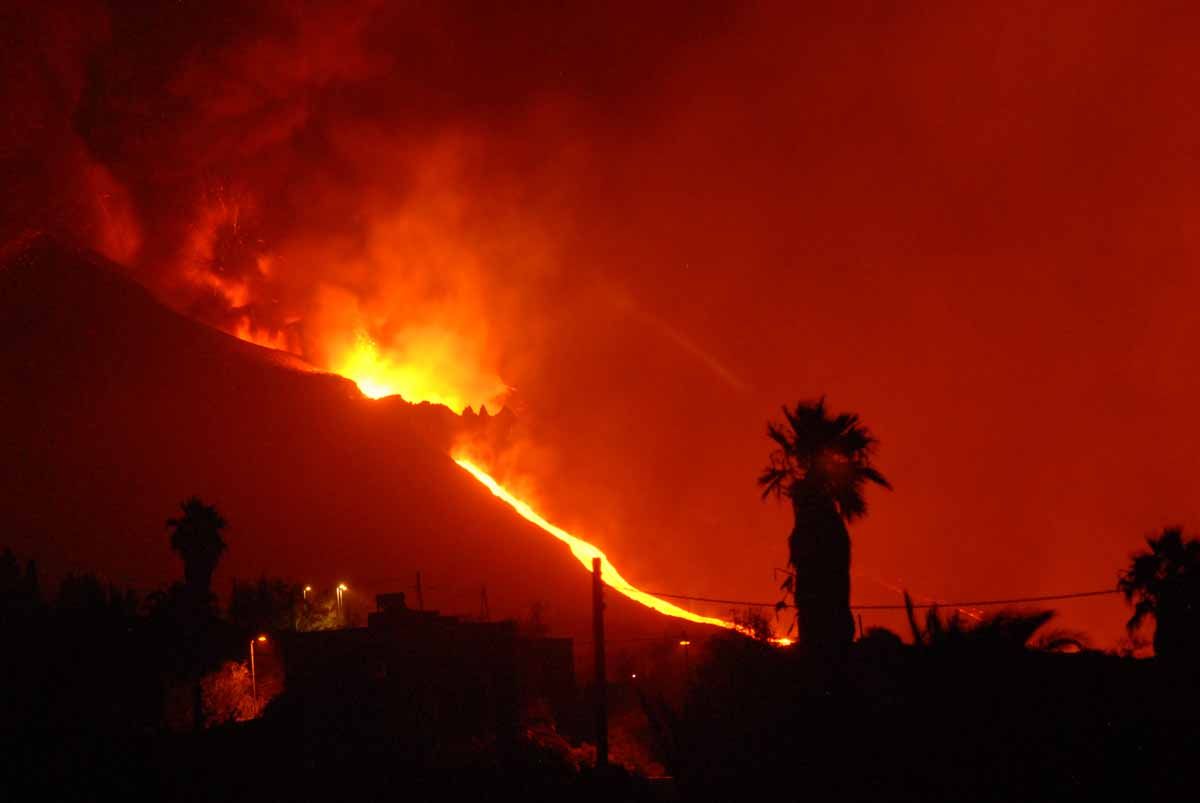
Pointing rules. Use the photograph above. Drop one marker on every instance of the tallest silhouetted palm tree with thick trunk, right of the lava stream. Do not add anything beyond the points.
(823, 466)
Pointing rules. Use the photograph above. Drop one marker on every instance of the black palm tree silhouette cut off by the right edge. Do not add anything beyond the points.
(1165, 583)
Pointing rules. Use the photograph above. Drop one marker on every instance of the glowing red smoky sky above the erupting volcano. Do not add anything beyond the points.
(976, 229)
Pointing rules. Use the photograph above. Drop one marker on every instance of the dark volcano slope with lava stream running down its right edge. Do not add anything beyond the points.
(116, 409)
